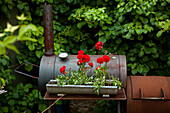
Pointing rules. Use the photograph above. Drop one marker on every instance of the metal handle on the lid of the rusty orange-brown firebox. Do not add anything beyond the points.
(153, 98)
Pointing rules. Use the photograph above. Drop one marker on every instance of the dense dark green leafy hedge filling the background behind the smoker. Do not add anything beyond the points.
(138, 29)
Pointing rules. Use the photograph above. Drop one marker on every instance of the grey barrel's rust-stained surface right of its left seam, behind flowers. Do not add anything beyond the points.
(114, 65)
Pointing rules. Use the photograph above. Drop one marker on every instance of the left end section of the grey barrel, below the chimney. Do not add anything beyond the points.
(46, 71)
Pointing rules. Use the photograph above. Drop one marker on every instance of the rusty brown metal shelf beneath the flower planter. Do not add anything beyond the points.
(120, 96)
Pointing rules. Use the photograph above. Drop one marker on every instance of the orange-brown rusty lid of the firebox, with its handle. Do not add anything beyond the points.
(150, 87)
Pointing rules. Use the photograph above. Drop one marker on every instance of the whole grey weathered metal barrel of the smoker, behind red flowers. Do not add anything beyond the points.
(50, 67)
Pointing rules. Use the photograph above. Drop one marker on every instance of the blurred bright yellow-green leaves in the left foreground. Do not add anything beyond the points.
(8, 40)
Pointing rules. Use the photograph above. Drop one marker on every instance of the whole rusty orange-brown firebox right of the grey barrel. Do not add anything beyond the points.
(148, 94)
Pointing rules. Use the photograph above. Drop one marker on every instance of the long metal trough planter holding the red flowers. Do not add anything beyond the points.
(53, 88)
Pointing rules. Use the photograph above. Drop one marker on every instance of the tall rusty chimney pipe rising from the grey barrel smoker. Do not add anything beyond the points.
(48, 30)
